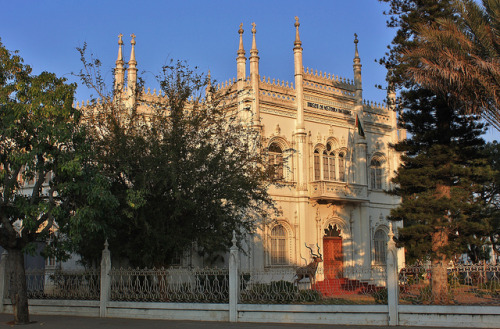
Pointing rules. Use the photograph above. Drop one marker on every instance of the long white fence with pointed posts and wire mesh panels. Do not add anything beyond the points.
(269, 295)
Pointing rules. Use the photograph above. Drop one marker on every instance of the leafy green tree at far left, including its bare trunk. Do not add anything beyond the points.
(39, 137)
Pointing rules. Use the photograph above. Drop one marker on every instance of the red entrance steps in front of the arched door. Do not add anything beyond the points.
(343, 286)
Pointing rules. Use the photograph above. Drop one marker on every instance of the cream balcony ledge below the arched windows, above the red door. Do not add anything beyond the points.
(341, 191)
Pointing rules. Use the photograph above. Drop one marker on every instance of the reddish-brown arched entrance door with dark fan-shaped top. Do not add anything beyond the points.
(333, 254)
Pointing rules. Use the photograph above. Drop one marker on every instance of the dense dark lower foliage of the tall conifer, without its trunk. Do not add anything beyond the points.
(445, 150)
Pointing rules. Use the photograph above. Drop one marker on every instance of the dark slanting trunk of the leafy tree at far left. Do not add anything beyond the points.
(18, 290)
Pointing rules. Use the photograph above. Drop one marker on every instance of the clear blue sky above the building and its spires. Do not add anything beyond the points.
(203, 33)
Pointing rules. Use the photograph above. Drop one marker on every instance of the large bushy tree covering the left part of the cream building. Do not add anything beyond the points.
(186, 168)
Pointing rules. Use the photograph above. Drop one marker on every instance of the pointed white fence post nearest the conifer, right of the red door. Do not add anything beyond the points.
(392, 279)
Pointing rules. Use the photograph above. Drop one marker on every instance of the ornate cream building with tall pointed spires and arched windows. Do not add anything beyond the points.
(331, 148)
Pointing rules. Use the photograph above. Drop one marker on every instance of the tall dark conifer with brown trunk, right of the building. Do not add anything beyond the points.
(443, 167)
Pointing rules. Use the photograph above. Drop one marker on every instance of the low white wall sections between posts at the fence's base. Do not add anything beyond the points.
(409, 315)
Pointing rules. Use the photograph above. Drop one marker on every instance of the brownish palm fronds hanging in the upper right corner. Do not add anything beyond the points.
(459, 56)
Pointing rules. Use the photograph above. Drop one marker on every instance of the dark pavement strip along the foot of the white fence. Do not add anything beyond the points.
(74, 322)
